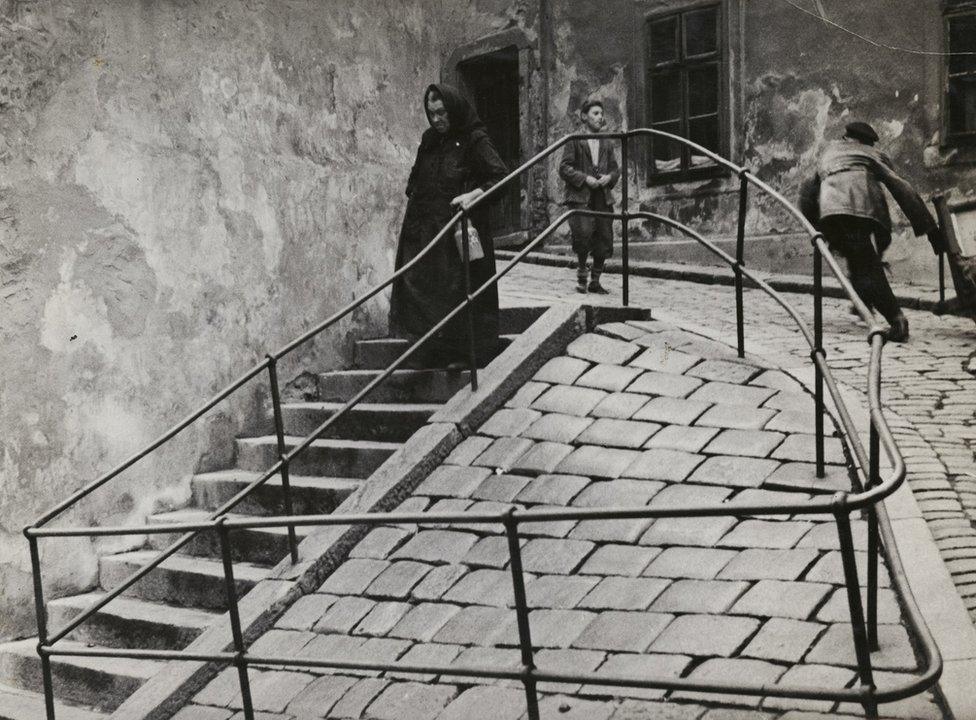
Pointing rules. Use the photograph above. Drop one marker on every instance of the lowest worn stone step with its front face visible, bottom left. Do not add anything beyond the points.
(100, 683)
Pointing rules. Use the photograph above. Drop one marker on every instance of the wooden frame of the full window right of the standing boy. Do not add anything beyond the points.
(721, 57)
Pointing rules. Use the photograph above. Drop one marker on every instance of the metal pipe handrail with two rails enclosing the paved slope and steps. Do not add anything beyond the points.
(840, 505)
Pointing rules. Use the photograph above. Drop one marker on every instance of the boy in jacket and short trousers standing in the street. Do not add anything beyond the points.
(590, 170)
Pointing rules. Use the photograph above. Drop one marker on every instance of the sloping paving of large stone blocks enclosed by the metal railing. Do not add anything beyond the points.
(619, 420)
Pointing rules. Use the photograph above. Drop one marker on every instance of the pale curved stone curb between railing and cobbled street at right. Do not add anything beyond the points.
(928, 578)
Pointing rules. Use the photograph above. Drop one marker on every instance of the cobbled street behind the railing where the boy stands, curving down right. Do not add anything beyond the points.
(929, 390)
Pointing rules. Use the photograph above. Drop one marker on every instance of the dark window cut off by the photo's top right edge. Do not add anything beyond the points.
(960, 86)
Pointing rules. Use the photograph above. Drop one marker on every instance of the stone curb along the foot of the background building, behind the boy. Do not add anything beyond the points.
(908, 296)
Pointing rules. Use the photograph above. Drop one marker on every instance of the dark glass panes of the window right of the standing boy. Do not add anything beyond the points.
(683, 80)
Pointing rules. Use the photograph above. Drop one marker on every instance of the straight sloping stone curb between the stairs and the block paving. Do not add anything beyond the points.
(167, 691)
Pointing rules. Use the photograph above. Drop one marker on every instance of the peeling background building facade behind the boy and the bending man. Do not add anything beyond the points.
(763, 82)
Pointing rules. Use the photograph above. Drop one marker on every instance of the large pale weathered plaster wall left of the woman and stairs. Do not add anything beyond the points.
(184, 185)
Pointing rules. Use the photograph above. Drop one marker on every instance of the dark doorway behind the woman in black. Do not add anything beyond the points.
(492, 83)
